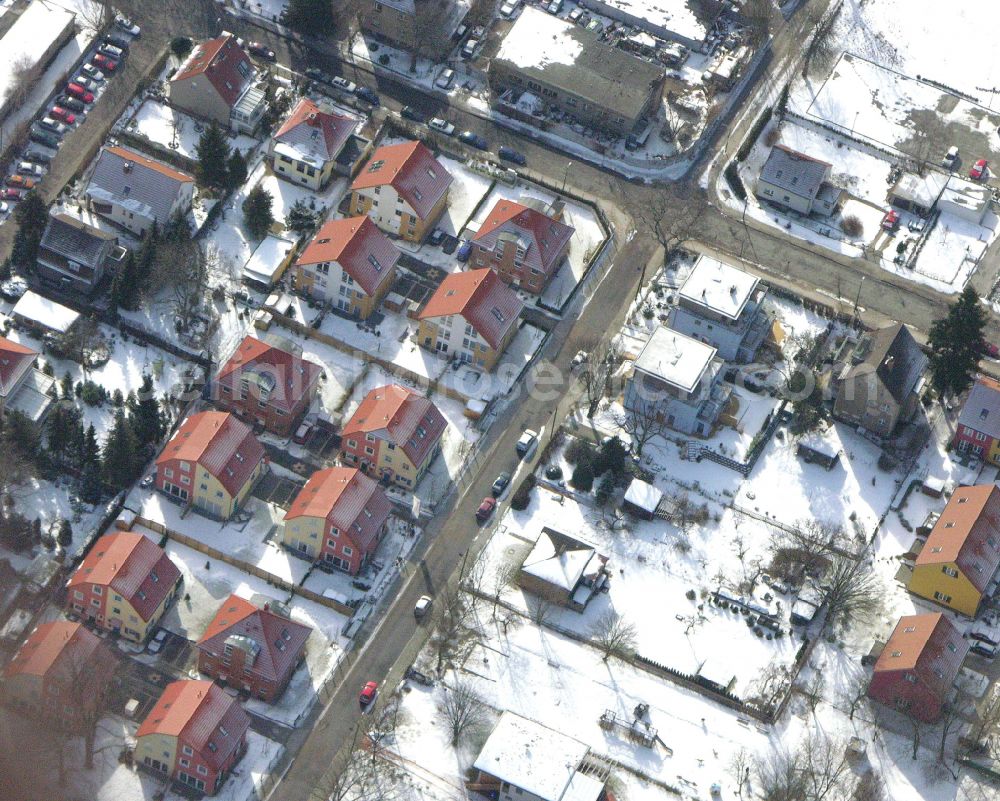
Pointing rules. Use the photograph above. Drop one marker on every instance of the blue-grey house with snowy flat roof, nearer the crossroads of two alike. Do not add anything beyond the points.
(724, 307)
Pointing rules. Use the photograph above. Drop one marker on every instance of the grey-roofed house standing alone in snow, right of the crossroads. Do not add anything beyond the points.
(798, 182)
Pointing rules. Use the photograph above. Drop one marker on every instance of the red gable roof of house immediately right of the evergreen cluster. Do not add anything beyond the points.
(219, 442)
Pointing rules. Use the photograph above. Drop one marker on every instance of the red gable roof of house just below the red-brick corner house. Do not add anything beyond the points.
(482, 298)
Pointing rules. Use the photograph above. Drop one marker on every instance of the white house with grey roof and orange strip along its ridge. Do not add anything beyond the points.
(134, 191)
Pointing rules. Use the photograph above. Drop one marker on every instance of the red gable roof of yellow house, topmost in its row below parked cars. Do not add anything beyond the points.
(411, 169)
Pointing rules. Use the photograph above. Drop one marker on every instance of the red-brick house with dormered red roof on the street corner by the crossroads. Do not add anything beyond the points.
(522, 243)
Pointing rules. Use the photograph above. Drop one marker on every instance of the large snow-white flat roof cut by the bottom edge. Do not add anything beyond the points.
(535, 758)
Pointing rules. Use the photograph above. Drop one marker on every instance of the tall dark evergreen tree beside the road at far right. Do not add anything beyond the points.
(956, 344)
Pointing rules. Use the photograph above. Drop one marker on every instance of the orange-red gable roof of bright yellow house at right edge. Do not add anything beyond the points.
(967, 534)
